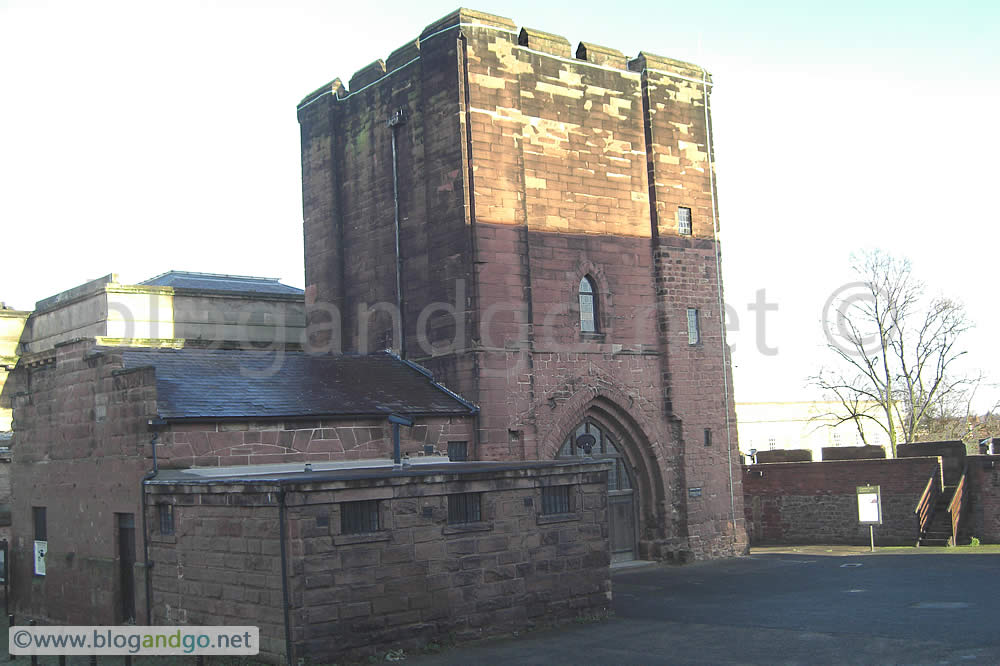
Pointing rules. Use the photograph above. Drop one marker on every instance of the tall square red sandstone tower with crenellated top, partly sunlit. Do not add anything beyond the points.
(537, 226)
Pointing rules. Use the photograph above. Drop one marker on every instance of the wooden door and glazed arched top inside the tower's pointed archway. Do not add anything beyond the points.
(621, 489)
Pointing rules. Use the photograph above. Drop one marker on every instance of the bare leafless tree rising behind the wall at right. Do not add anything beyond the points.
(894, 347)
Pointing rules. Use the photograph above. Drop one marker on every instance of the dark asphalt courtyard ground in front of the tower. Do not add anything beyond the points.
(797, 606)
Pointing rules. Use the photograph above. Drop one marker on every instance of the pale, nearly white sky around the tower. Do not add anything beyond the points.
(140, 137)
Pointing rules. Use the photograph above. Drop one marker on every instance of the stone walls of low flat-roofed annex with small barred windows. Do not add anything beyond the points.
(416, 580)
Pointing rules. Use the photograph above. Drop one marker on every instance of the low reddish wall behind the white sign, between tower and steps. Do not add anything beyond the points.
(816, 502)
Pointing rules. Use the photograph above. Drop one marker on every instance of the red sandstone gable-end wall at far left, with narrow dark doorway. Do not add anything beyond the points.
(80, 449)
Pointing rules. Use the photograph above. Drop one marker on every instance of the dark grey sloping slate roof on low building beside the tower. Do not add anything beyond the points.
(233, 383)
